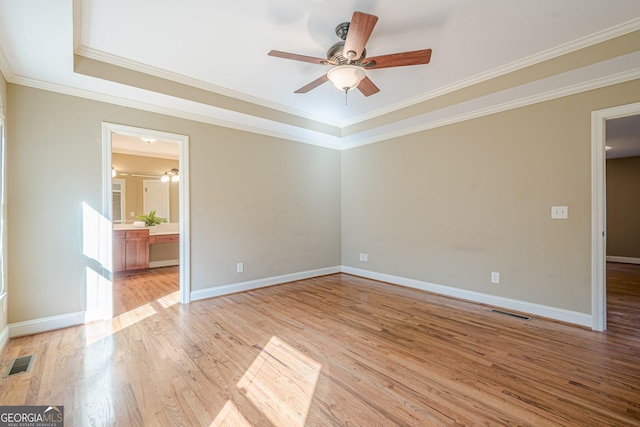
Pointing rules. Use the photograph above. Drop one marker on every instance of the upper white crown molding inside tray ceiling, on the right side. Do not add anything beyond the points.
(575, 45)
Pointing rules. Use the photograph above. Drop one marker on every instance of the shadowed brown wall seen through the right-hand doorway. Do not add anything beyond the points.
(623, 207)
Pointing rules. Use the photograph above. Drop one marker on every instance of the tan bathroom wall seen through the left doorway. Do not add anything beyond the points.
(134, 184)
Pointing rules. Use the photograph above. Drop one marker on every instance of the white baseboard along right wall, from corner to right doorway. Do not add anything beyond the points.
(560, 314)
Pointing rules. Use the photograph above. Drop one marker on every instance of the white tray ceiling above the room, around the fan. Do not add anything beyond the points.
(221, 49)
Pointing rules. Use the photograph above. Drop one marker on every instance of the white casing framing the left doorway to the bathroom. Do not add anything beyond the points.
(183, 142)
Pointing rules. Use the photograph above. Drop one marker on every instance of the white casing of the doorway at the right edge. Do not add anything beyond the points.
(599, 209)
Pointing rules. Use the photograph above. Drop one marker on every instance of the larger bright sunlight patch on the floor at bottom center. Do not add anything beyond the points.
(280, 383)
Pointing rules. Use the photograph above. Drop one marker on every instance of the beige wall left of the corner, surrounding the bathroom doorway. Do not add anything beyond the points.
(270, 203)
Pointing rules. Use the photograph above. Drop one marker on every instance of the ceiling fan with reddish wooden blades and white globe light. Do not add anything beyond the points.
(349, 57)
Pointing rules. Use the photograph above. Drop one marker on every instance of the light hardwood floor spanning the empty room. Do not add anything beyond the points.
(333, 351)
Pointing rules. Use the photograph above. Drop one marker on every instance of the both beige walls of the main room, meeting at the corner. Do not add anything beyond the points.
(447, 206)
